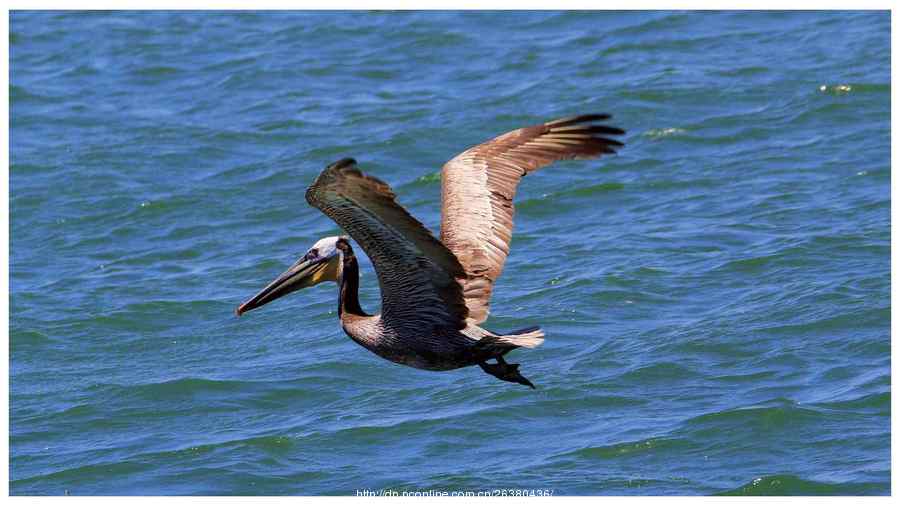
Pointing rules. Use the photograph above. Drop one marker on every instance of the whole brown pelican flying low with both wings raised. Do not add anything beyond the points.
(435, 293)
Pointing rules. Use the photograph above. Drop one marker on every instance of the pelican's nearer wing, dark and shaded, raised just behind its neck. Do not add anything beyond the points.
(417, 274)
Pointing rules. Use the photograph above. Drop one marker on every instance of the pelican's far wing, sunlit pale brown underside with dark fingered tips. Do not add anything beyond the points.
(479, 184)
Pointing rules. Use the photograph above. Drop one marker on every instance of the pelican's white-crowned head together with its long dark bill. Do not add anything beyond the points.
(321, 263)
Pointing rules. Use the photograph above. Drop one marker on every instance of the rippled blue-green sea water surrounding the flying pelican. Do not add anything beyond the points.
(716, 297)
